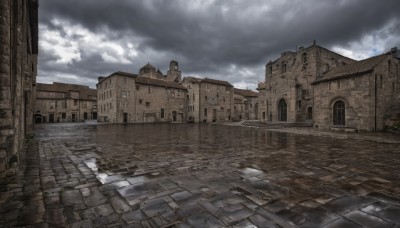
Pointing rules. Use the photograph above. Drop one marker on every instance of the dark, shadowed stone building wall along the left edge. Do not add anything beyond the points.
(18, 67)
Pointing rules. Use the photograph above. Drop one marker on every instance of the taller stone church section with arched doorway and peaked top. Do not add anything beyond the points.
(288, 82)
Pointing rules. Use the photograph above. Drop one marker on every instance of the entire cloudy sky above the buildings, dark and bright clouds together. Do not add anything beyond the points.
(231, 40)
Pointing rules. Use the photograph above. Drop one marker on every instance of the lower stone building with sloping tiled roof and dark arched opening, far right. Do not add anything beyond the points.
(363, 95)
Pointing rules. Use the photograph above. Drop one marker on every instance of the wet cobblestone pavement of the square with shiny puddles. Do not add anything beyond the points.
(82, 175)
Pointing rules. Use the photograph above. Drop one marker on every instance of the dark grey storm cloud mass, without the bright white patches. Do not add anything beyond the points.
(208, 37)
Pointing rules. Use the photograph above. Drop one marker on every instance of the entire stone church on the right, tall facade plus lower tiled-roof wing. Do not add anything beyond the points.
(317, 86)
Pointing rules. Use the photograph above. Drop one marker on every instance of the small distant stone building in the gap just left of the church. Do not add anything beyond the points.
(245, 104)
